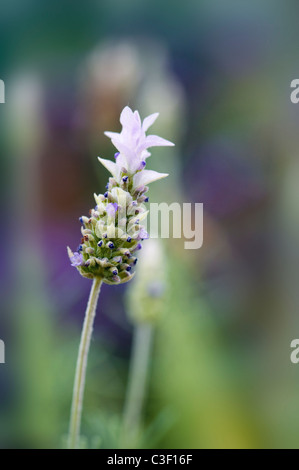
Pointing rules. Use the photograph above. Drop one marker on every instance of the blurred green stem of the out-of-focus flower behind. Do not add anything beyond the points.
(136, 391)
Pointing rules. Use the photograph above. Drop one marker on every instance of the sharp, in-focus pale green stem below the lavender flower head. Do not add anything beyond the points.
(78, 391)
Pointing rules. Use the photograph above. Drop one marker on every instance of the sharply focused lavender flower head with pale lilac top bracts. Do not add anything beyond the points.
(112, 232)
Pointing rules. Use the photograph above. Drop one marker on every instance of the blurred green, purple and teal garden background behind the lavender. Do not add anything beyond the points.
(219, 73)
